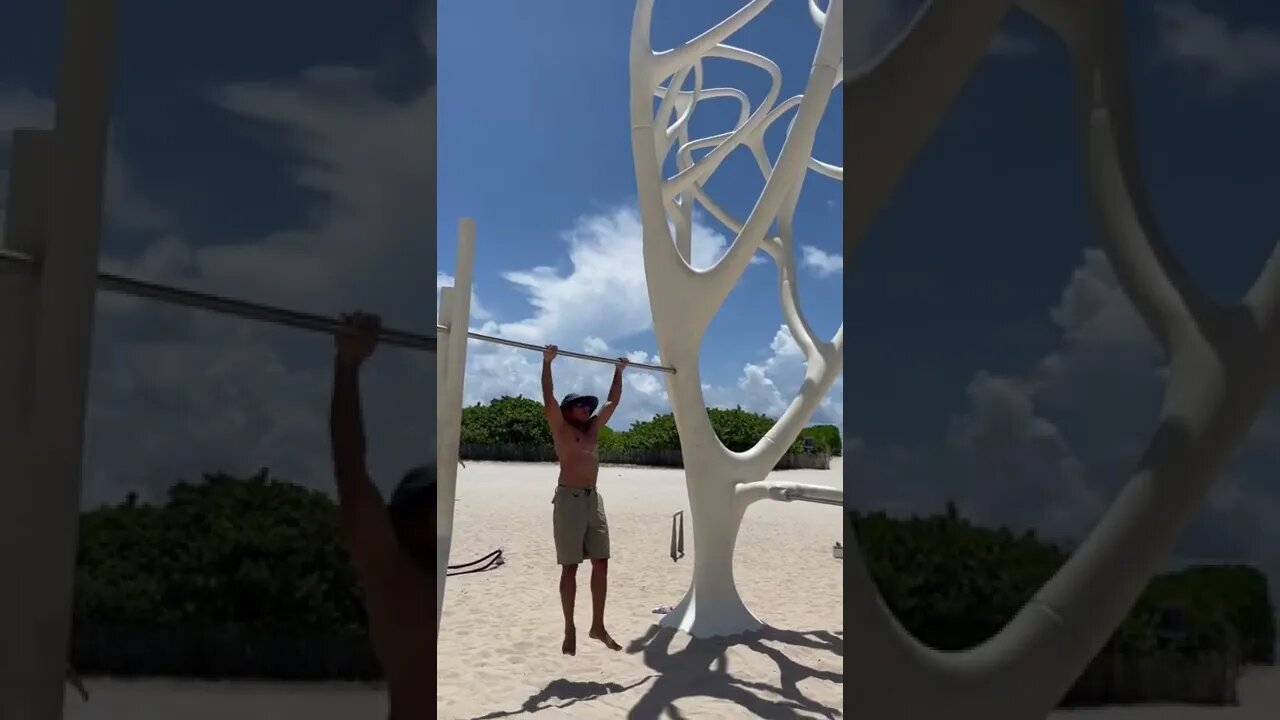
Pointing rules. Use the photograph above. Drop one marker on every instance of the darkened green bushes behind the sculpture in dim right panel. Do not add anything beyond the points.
(954, 585)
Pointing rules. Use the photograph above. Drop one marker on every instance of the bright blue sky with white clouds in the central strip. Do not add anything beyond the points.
(536, 116)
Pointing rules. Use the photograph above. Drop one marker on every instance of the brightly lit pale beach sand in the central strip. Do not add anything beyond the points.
(500, 650)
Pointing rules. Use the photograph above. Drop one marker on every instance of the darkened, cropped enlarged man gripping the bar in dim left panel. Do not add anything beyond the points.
(391, 545)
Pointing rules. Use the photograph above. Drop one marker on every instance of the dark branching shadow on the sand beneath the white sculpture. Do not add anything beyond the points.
(702, 671)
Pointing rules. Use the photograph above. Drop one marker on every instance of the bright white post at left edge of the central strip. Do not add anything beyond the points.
(456, 313)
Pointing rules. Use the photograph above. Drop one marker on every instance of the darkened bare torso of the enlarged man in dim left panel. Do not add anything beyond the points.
(401, 608)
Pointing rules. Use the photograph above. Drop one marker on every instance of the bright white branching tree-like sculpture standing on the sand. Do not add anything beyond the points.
(684, 300)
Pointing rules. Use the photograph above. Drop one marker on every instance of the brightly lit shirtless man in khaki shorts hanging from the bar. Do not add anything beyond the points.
(578, 520)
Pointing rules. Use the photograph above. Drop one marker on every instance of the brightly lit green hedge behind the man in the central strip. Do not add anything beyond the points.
(519, 422)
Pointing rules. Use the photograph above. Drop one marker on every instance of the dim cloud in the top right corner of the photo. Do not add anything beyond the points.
(1227, 57)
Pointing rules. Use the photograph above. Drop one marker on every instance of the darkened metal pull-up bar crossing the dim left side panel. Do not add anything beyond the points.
(121, 285)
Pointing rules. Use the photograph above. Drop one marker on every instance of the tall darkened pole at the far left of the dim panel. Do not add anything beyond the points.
(36, 635)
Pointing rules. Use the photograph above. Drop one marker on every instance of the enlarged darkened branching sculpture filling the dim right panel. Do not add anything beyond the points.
(1223, 370)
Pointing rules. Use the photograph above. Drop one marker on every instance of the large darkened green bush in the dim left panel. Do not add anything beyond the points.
(228, 550)
